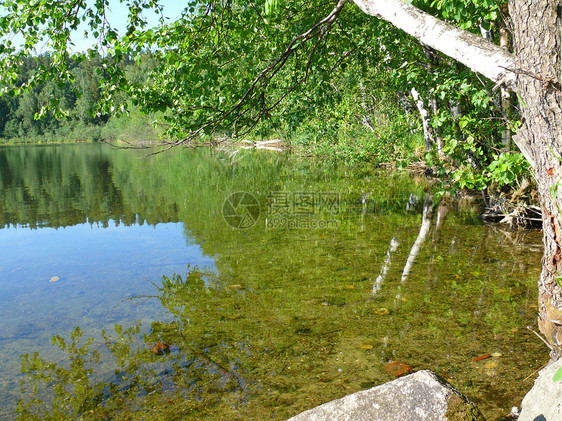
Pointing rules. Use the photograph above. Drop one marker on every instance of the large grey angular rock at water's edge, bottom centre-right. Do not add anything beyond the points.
(422, 396)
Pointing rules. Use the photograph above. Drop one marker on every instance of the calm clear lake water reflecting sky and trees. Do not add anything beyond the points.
(299, 281)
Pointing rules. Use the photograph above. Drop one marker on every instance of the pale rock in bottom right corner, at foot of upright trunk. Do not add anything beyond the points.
(544, 401)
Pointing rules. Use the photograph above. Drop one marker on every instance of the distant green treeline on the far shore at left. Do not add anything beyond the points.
(18, 114)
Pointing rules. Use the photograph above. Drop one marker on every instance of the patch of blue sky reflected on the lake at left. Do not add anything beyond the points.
(98, 269)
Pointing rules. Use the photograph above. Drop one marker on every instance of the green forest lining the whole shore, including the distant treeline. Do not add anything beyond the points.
(377, 97)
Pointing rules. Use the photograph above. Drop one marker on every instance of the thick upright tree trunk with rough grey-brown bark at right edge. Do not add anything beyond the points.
(537, 43)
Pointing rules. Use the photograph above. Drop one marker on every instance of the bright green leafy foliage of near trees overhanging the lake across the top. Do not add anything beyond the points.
(324, 75)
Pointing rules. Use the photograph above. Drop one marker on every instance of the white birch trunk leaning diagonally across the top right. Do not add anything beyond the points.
(473, 51)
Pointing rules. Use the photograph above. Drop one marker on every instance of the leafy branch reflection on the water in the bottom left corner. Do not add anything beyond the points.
(69, 388)
